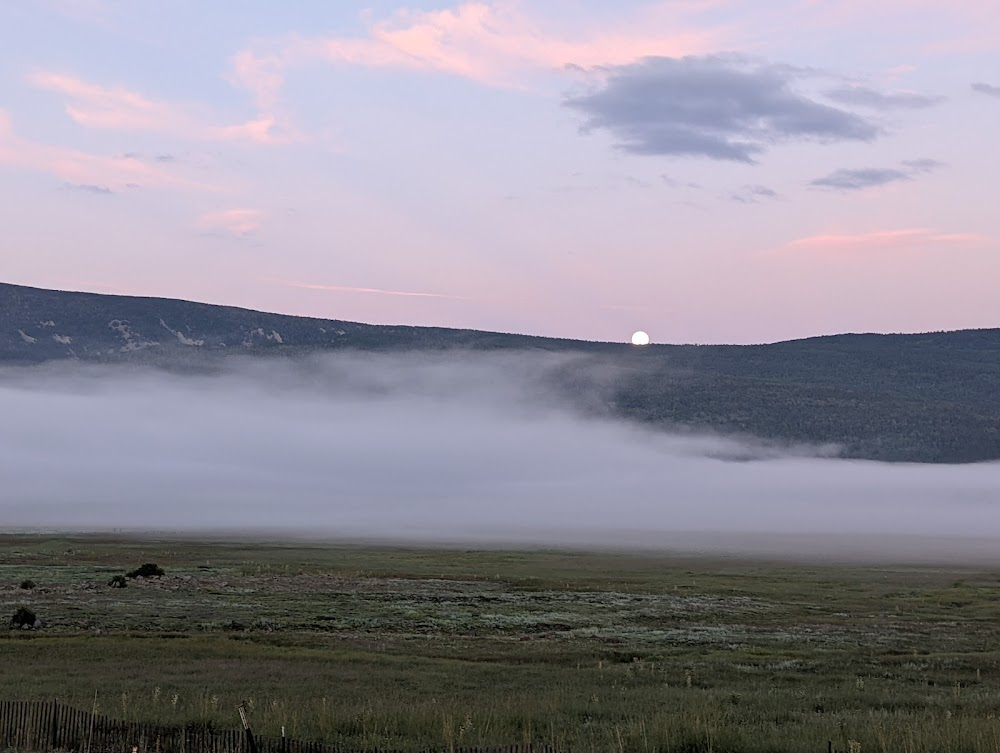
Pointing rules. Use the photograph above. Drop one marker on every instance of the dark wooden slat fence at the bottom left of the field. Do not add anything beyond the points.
(42, 727)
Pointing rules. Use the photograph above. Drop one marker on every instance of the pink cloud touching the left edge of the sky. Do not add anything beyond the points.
(82, 168)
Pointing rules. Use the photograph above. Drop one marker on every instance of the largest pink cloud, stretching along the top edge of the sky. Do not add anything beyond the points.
(492, 43)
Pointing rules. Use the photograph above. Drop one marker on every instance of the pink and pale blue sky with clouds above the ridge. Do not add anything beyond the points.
(710, 171)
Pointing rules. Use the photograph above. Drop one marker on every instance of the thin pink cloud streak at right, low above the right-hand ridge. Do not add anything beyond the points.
(882, 241)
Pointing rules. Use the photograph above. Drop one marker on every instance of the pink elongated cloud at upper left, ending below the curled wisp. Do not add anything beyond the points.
(118, 108)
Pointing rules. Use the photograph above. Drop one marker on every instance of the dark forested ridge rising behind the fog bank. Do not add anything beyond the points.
(919, 398)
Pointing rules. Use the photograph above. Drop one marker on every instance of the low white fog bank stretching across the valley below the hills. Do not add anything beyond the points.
(464, 449)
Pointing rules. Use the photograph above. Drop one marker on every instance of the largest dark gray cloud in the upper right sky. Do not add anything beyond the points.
(721, 107)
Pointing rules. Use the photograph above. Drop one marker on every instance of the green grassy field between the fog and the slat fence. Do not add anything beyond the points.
(393, 647)
